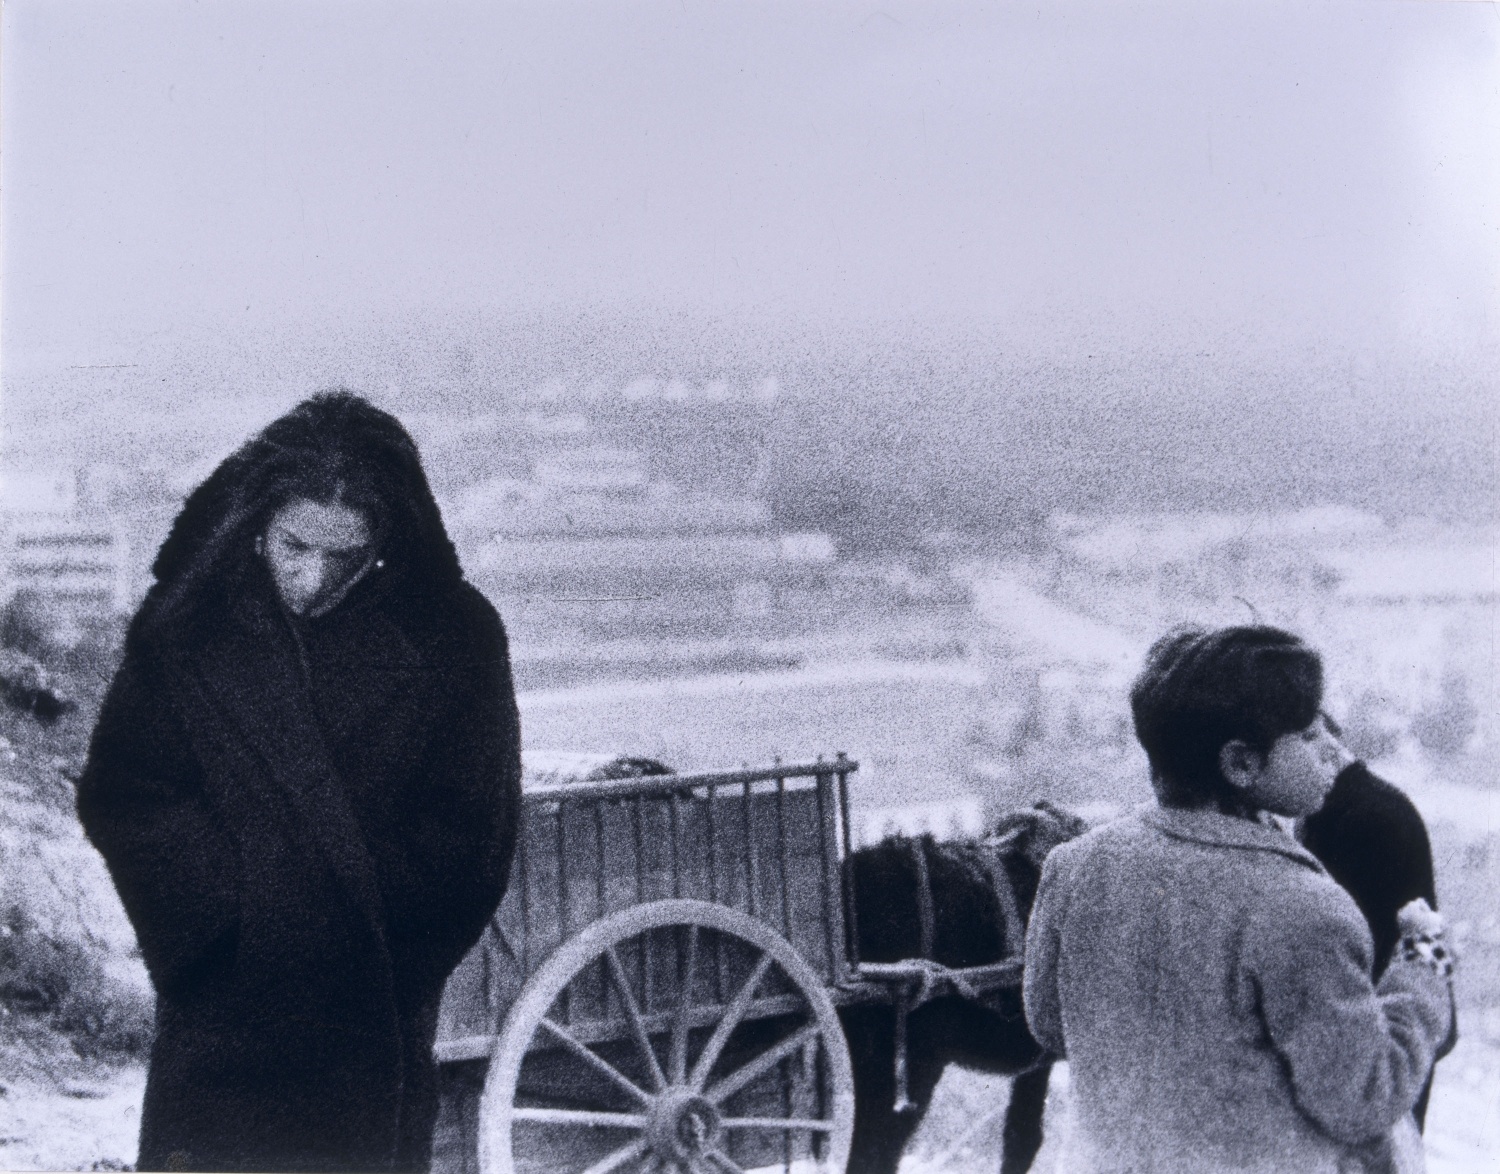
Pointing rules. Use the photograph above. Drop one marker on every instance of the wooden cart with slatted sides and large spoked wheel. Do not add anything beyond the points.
(659, 990)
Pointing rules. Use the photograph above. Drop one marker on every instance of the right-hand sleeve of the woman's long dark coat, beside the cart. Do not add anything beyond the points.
(464, 825)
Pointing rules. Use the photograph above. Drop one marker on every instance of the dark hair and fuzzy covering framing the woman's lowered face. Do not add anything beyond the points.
(331, 449)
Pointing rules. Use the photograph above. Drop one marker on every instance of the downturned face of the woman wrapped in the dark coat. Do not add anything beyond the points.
(317, 553)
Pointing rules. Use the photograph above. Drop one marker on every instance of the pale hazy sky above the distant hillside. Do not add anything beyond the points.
(1247, 173)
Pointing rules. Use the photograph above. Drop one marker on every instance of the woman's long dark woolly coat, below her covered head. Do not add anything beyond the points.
(308, 822)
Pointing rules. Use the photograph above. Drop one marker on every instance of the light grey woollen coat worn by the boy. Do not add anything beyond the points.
(1210, 986)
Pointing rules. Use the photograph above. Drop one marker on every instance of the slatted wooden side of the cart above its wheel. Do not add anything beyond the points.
(770, 842)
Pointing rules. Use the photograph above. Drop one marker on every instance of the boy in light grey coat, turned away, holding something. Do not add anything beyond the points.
(1208, 983)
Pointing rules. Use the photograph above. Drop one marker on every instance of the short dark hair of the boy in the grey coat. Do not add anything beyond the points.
(1204, 689)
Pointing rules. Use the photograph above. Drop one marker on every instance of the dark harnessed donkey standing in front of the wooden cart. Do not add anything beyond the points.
(958, 905)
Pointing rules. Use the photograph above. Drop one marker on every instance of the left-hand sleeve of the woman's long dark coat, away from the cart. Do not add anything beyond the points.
(143, 804)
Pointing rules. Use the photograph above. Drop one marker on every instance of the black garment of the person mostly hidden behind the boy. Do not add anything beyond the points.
(1373, 843)
